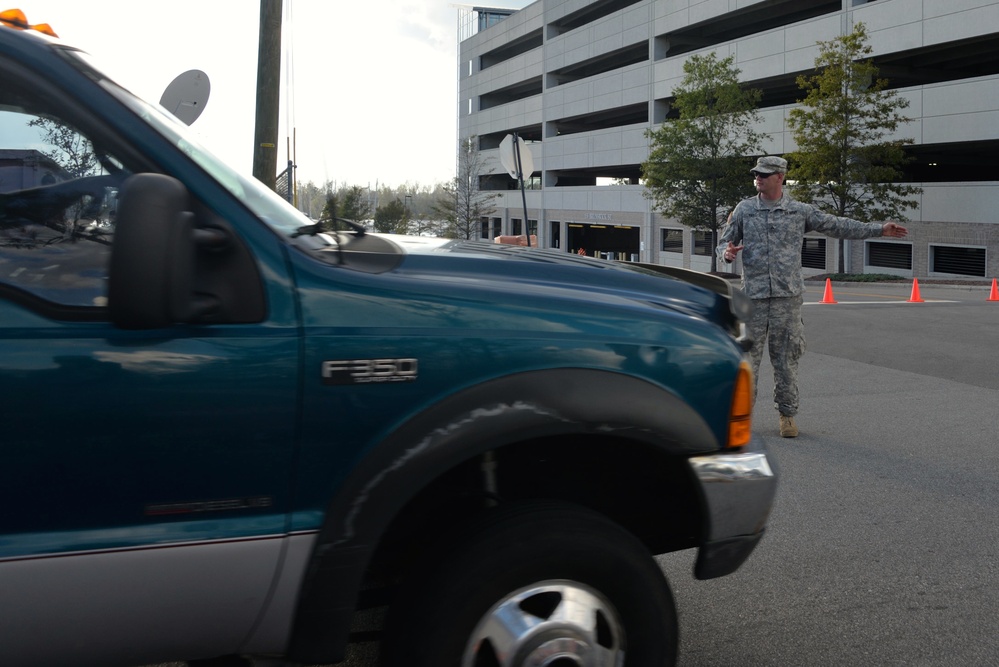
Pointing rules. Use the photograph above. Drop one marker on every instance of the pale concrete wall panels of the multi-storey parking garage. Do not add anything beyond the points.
(956, 111)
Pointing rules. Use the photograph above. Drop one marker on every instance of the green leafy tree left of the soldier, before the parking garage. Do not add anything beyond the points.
(698, 167)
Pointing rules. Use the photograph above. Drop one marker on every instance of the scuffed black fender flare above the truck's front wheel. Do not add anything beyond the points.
(484, 417)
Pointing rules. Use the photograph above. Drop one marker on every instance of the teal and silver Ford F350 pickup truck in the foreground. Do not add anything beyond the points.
(229, 433)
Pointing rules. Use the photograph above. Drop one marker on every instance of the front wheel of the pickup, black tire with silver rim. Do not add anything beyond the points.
(530, 583)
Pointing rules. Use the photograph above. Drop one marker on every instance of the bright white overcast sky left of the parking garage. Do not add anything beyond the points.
(370, 87)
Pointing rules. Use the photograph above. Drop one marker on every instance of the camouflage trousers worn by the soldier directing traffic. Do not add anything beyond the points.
(776, 322)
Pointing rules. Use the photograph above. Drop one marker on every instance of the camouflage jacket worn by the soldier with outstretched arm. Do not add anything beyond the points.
(771, 258)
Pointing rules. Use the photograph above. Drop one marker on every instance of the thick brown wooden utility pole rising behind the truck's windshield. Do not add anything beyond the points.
(268, 93)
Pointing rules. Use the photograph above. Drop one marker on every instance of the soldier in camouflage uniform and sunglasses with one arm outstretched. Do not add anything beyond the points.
(769, 229)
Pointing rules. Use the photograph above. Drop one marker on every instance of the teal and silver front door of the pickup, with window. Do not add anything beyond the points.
(145, 473)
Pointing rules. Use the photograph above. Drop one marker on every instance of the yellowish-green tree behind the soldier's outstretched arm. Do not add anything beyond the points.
(843, 164)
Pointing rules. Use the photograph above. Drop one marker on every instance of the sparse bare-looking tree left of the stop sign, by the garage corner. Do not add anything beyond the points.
(461, 203)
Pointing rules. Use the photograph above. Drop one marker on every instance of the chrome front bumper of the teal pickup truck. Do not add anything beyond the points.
(738, 489)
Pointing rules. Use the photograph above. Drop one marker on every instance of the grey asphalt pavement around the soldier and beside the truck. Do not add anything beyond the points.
(883, 545)
